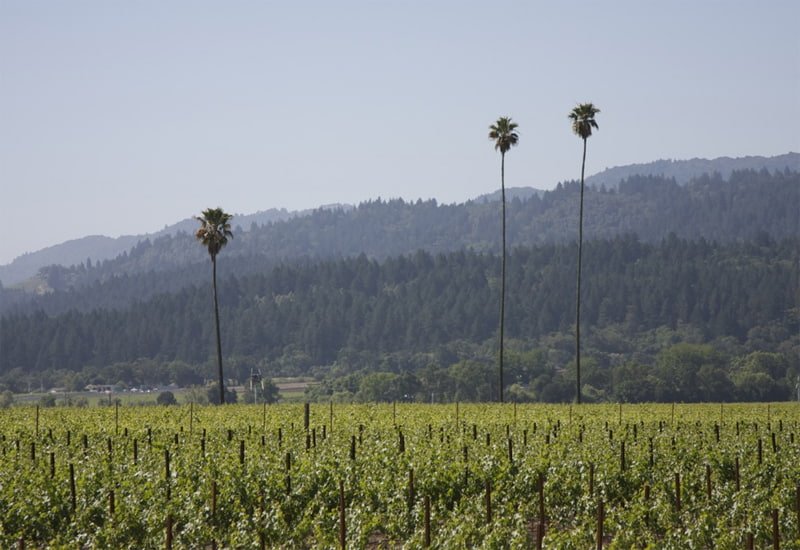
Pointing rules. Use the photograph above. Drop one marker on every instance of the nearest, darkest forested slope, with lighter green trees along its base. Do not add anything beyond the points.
(426, 322)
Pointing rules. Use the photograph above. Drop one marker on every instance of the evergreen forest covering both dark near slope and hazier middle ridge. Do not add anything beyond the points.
(690, 293)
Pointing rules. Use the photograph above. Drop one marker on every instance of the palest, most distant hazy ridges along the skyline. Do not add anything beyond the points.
(100, 248)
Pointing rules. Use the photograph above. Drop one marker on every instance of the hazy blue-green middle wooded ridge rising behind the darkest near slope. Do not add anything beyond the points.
(746, 206)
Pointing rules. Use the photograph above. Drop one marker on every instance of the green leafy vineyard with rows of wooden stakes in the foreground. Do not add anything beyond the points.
(387, 476)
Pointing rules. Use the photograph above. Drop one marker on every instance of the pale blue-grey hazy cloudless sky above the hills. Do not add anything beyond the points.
(122, 117)
